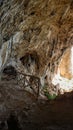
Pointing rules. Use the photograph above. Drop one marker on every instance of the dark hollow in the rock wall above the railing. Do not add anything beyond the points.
(31, 62)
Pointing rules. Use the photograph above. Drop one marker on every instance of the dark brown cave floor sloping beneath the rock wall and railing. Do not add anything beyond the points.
(34, 114)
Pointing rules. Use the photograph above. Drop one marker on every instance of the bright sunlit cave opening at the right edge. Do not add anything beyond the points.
(63, 78)
